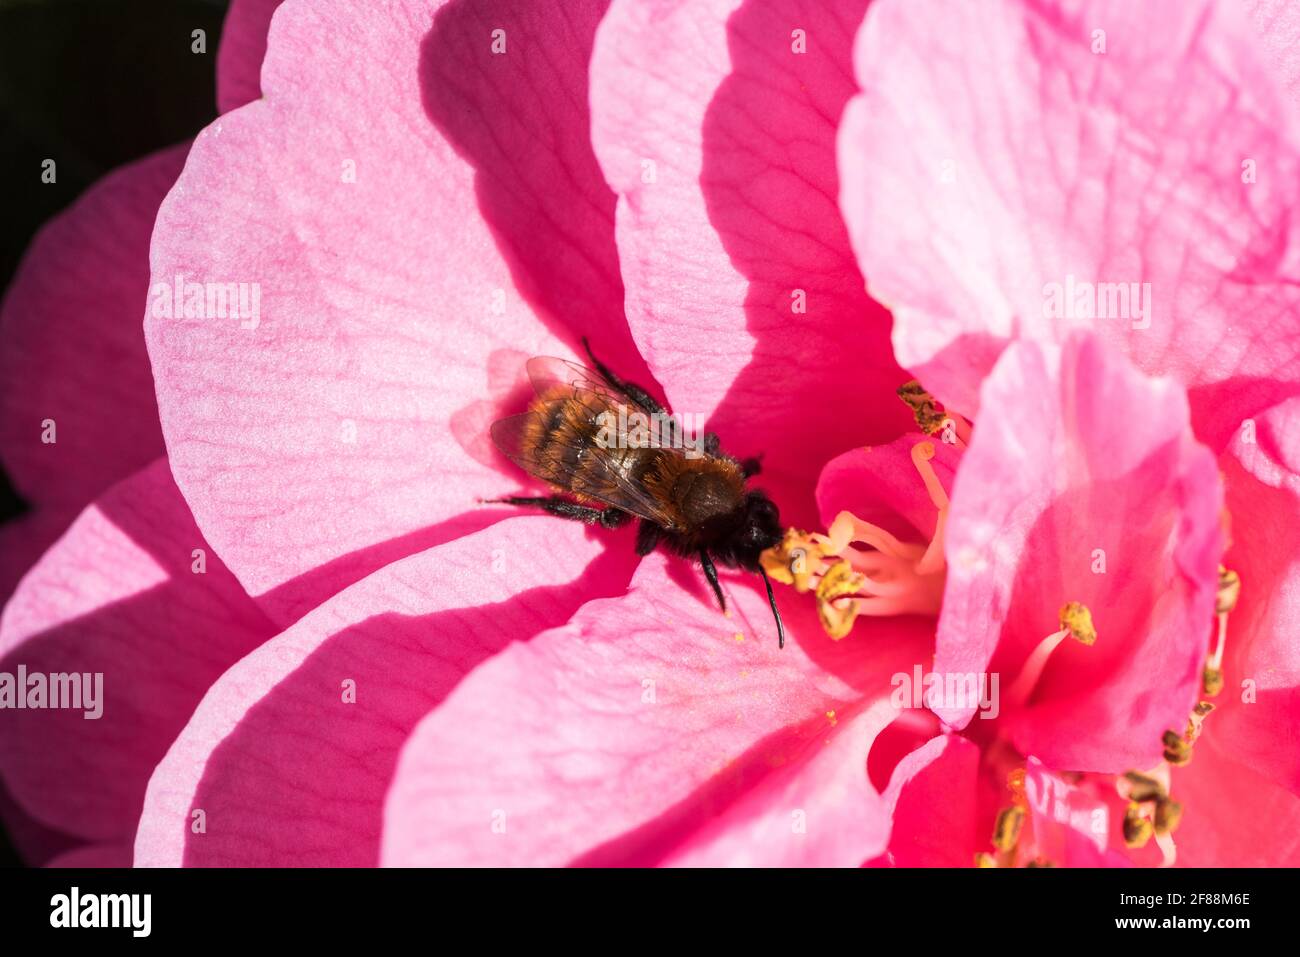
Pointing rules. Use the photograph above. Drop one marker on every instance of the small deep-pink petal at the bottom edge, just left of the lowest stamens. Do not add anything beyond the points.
(933, 798)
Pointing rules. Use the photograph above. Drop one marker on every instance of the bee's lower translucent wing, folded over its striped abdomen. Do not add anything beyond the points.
(578, 466)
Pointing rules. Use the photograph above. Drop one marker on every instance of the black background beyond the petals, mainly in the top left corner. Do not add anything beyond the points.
(93, 85)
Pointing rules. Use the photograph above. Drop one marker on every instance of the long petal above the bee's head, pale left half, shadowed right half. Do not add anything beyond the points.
(720, 141)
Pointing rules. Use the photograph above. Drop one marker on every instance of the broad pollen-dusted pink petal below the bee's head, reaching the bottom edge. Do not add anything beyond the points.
(619, 737)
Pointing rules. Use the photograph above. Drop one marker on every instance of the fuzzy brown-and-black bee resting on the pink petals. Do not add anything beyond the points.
(614, 454)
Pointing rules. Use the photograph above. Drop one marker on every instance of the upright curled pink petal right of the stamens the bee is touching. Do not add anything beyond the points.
(1084, 484)
